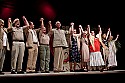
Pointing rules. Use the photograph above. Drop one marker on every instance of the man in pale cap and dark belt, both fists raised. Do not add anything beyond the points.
(18, 44)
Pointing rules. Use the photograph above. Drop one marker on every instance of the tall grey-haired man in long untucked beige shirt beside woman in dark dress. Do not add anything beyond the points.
(59, 43)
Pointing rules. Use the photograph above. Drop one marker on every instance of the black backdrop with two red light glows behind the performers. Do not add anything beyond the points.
(107, 14)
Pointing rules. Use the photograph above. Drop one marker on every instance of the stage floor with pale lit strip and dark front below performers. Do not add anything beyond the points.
(65, 76)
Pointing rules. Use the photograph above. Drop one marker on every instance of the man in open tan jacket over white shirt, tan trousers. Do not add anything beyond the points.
(32, 45)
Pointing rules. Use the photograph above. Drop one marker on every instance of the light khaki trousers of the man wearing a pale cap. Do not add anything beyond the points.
(17, 55)
